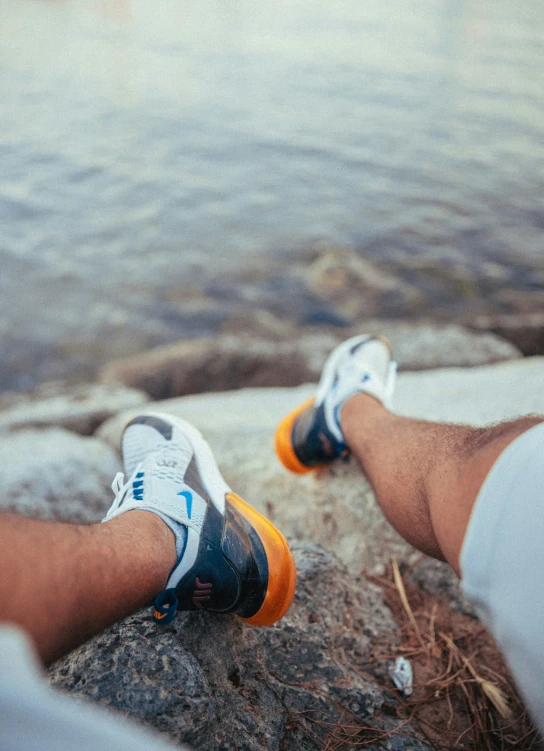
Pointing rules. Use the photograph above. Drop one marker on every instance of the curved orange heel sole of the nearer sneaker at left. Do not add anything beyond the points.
(282, 572)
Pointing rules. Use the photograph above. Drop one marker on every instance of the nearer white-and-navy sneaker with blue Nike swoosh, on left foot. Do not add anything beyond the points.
(231, 559)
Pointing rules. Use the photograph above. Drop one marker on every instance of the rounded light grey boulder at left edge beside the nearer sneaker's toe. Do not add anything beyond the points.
(54, 474)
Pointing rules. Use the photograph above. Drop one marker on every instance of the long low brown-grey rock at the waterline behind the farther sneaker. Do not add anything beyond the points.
(291, 357)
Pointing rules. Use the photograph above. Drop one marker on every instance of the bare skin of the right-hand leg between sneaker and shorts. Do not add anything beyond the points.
(426, 475)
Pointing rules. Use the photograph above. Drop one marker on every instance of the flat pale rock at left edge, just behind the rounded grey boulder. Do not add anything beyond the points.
(78, 408)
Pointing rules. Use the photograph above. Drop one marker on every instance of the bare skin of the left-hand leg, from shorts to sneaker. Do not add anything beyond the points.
(64, 583)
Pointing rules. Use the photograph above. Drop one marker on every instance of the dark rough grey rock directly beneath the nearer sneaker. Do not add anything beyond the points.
(221, 685)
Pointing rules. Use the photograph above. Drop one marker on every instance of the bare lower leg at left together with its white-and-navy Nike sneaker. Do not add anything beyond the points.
(175, 532)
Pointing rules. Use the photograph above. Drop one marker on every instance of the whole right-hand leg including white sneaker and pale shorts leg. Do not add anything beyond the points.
(471, 496)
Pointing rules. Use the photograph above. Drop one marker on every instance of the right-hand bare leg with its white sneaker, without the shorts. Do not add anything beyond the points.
(426, 475)
